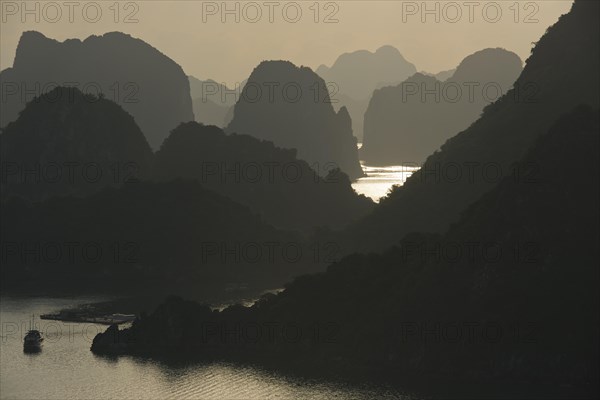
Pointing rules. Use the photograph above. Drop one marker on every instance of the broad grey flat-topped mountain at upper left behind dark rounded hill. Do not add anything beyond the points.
(145, 82)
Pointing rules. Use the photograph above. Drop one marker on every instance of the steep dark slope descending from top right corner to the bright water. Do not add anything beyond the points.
(470, 163)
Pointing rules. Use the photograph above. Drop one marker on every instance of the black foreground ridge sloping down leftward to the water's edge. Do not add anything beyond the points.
(516, 308)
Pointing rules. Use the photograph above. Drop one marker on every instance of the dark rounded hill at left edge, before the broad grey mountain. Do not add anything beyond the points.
(66, 142)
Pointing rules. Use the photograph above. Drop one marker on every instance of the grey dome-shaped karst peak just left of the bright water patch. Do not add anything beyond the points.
(290, 106)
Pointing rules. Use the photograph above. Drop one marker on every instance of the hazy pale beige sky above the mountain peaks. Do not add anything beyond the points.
(194, 35)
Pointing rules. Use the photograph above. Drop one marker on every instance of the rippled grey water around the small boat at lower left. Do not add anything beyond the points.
(66, 369)
